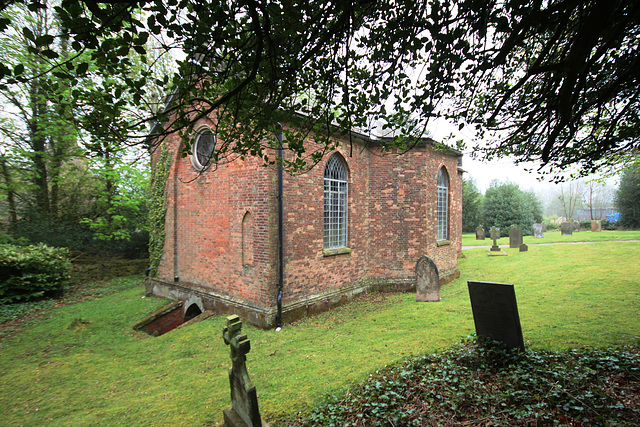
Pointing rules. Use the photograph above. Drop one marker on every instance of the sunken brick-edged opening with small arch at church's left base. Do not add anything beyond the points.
(171, 317)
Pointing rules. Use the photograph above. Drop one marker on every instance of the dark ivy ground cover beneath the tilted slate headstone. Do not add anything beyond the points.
(481, 380)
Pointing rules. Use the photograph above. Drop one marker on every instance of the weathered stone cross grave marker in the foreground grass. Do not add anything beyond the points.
(244, 399)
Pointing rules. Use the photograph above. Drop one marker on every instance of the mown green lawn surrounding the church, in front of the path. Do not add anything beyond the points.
(82, 364)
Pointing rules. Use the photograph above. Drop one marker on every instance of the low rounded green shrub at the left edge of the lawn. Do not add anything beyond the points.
(30, 272)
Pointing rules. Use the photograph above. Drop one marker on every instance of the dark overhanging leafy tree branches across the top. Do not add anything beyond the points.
(550, 81)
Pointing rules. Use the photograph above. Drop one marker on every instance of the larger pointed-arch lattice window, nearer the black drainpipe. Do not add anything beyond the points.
(336, 193)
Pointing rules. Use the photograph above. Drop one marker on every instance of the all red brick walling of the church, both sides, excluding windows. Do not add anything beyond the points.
(221, 225)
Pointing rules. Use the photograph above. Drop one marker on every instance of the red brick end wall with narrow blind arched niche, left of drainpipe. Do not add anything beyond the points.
(205, 237)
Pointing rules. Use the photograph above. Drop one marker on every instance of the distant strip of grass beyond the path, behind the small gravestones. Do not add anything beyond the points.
(554, 236)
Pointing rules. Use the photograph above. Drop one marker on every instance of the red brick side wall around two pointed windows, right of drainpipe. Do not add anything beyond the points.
(392, 220)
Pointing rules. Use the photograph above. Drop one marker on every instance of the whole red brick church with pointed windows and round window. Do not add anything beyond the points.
(358, 221)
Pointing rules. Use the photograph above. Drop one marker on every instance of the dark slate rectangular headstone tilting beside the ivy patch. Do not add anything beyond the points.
(495, 312)
